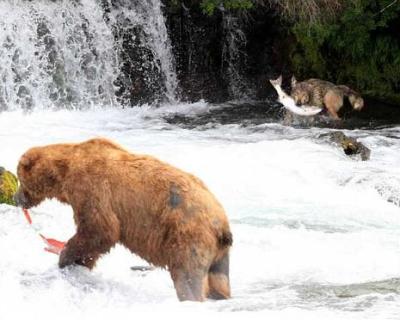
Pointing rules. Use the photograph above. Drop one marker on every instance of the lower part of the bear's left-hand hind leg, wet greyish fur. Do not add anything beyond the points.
(190, 285)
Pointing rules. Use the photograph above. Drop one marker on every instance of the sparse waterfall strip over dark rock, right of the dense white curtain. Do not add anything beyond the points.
(150, 60)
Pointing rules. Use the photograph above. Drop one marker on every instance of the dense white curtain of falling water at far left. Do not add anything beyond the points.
(55, 54)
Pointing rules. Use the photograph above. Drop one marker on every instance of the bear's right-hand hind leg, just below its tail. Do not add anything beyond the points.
(218, 279)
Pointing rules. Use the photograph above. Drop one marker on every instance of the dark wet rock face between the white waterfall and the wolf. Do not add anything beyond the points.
(229, 55)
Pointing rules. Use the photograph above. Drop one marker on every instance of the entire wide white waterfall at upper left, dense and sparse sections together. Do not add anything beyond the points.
(65, 54)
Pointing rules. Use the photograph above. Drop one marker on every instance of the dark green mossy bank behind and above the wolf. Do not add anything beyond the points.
(361, 48)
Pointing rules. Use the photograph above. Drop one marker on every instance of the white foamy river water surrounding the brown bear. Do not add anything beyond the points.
(316, 234)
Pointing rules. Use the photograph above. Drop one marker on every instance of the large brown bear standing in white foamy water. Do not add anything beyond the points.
(161, 213)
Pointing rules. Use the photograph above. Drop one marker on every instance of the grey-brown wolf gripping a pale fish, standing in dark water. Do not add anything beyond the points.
(322, 93)
